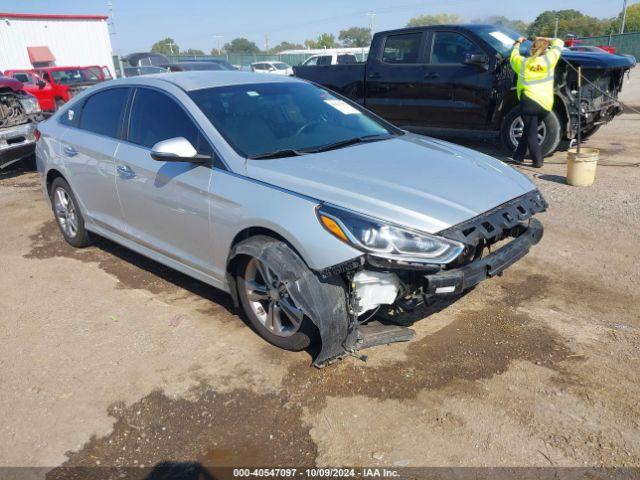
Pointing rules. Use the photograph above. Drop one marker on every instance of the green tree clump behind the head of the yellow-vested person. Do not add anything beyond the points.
(569, 21)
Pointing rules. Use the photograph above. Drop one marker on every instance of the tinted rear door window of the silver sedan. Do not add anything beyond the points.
(102, 112)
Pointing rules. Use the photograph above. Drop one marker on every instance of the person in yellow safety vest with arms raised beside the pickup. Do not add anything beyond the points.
(535, 91)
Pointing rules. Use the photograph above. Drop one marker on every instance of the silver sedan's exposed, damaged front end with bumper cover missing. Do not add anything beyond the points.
(490, 242)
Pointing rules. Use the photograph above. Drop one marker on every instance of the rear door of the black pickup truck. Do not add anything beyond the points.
(394, 78)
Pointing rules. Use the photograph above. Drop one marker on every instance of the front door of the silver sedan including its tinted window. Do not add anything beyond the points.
(166, 204)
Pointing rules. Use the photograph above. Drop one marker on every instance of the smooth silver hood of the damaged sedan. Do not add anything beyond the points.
(410, 180)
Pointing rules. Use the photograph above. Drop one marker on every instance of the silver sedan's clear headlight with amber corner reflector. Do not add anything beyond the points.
(386, 240)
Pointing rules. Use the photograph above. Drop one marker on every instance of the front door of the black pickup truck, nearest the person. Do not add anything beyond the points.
(458, 94)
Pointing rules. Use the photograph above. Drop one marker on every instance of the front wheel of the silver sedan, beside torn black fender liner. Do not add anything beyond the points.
(266, 301)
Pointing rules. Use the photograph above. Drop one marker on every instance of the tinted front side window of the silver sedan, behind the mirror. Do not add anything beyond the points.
(156, 117)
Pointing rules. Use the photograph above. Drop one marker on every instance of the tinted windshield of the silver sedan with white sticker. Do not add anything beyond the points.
(258, 119)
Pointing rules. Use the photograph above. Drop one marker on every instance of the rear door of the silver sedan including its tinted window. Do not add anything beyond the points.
(88, 148)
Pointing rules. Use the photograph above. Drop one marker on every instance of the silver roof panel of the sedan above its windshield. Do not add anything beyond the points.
(198, 80)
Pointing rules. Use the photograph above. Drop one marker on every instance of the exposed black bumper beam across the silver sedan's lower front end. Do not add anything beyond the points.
(457, 280)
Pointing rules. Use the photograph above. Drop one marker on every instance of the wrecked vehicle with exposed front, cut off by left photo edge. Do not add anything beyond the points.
(19, 113)
